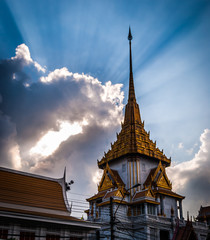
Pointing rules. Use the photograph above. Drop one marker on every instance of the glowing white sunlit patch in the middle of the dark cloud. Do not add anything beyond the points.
(52, 139)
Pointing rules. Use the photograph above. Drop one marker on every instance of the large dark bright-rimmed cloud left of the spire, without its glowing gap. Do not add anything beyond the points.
(30, 110)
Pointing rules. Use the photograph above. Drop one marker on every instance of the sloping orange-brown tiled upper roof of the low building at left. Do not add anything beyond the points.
(32, 190)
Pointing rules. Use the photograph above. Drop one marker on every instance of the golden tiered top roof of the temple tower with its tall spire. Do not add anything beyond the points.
(133, 138)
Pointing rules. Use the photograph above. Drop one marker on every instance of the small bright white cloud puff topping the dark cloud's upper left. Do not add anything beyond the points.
(23, 54)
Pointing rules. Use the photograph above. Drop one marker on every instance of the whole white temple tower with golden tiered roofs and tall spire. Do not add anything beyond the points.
(135, 199)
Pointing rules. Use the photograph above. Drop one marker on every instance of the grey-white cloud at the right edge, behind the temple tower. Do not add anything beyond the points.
(192, 178)
